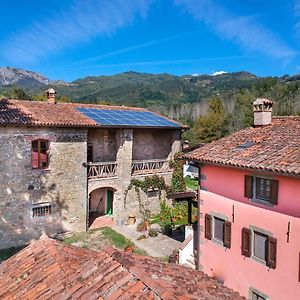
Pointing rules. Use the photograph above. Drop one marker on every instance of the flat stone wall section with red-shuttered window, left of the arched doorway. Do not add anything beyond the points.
(63, 185)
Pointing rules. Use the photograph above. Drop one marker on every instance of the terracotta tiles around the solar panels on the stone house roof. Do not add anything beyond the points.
(41, 113)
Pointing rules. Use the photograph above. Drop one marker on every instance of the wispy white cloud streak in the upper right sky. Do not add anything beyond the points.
(245, 31)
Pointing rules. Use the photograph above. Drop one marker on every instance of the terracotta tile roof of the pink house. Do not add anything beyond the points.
(274, 148)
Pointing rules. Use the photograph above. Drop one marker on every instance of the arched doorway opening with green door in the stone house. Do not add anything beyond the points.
(100, 205)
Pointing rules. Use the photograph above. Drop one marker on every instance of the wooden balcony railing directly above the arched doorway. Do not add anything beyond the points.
(102, 170)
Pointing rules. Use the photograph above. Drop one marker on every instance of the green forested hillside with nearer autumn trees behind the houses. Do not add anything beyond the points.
(212, 105)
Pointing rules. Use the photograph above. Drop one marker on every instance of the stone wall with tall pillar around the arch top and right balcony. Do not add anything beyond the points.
(137, 144)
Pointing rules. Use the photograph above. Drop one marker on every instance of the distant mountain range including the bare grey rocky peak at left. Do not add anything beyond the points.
(172, 95)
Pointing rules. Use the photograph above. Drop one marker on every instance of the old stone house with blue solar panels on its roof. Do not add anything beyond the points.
(64, 164)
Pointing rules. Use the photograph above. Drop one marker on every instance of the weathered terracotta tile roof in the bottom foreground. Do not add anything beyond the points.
(48, 269)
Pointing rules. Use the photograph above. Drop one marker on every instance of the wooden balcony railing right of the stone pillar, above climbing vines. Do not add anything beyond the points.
(141, 167)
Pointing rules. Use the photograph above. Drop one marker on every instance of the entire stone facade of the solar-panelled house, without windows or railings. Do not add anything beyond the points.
(64, 185)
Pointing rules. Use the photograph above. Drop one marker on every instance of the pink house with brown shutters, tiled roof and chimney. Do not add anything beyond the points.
(250, 207)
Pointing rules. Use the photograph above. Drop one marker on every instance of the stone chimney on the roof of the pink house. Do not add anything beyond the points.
(262, 109)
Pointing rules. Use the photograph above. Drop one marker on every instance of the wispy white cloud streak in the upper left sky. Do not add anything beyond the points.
(80, 22)
